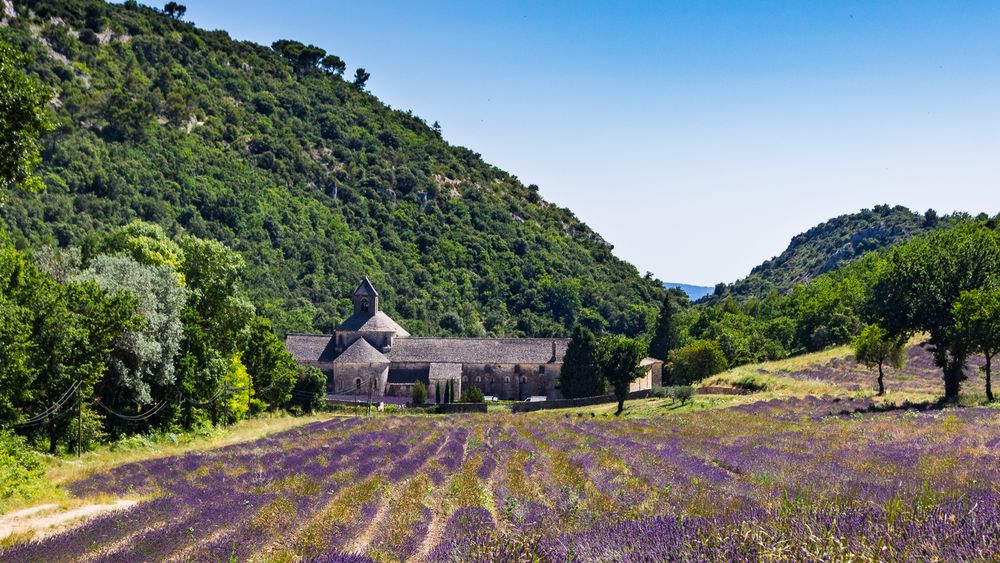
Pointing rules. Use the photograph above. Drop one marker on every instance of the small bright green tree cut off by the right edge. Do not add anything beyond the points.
(977, 323)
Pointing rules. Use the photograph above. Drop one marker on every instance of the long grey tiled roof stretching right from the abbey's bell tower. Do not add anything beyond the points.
(478, 350)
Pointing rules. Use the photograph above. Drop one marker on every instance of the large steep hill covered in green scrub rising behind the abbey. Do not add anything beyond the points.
(276, 153)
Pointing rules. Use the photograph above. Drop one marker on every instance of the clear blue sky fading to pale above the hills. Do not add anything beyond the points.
(697, 137)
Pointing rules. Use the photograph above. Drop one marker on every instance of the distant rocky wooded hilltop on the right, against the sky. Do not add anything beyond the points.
(837, 242)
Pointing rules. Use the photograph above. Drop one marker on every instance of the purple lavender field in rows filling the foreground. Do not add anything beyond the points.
(787, 480)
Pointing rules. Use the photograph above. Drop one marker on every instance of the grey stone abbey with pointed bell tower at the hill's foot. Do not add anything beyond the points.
(371, 353)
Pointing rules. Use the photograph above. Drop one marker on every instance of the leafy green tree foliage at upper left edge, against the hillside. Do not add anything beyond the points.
(23, 121)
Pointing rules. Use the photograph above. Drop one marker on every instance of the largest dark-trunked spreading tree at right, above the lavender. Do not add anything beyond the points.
(917, 285)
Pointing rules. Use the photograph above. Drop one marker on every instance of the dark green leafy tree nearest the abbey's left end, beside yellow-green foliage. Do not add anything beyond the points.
(272, 369)
